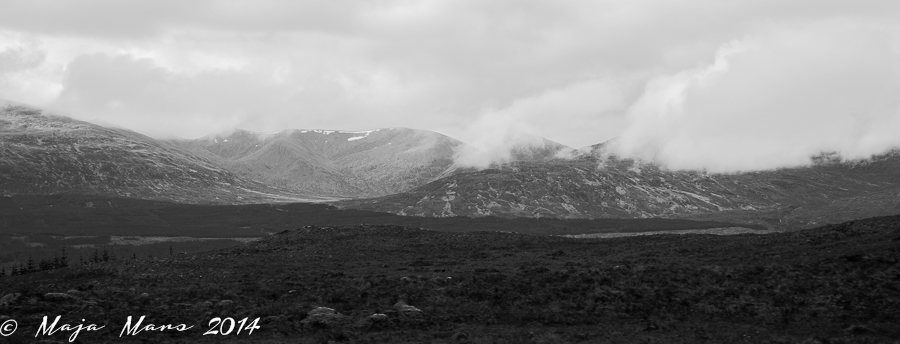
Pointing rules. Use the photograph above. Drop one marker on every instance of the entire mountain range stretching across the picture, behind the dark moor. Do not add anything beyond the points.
(412, 172)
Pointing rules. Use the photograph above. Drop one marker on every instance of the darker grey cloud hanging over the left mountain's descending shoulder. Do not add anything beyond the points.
(129, 91)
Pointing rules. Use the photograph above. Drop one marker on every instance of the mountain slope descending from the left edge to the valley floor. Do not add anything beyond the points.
(47, 154)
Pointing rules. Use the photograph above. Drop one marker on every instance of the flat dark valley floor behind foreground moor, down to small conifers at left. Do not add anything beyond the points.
(41, 227)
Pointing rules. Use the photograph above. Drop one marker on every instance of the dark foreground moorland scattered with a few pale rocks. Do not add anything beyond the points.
(388, 284)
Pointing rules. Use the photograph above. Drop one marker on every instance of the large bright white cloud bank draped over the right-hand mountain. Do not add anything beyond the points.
(774, 100)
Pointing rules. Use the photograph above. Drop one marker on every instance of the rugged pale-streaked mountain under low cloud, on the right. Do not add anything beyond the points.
(594, 185)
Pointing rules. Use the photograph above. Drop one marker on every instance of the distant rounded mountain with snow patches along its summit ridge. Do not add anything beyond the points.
(331, 163)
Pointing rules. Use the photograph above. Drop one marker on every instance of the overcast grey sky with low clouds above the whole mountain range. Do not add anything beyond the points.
(722, 86)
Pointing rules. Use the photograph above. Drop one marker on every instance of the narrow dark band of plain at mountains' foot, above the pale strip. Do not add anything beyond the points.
(74, 215)
